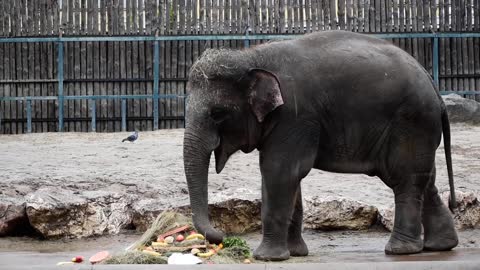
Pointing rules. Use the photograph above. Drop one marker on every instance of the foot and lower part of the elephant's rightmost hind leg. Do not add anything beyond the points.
(439, 229)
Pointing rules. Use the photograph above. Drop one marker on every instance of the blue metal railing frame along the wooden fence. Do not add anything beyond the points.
(60, 98)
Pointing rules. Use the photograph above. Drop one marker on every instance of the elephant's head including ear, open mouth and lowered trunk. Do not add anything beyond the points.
(229, 100)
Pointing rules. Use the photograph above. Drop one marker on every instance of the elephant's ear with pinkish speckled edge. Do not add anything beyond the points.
(264, 93)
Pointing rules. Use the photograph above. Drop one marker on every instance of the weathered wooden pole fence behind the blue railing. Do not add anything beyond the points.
(126, 67)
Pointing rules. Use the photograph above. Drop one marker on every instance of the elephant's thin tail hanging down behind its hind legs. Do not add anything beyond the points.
(452, 202)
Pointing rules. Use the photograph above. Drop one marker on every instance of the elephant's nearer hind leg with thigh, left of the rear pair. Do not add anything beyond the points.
(409, 168)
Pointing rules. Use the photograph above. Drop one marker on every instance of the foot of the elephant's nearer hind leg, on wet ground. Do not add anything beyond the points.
(402, 244)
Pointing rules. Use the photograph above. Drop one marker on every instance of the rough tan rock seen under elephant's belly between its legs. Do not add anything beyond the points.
(337, 214)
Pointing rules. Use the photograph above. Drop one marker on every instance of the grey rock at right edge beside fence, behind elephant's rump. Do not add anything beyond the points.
(462, 109)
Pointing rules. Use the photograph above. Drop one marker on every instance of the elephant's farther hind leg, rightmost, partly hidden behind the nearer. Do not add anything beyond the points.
(439, 228)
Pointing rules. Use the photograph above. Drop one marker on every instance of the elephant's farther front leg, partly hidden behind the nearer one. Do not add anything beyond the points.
(296, 244)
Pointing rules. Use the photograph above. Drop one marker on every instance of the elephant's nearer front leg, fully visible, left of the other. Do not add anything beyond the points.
(278, 200)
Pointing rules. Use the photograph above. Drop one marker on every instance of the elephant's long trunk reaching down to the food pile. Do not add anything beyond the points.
(197, 148)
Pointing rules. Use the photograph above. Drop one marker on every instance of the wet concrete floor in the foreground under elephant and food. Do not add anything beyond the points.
(345, 247)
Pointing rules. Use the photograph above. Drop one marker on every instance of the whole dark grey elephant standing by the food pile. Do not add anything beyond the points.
(335, 101)
